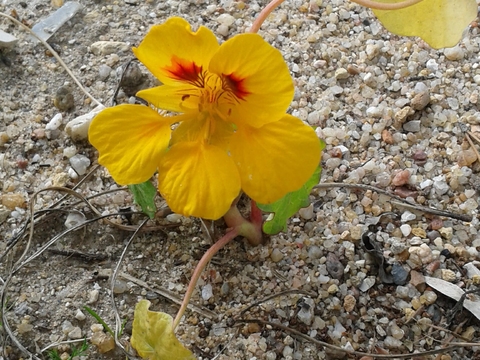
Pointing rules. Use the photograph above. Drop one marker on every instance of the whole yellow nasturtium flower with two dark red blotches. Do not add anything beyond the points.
(233, 133)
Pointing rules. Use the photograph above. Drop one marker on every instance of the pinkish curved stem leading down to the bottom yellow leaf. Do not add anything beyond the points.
(199, 269)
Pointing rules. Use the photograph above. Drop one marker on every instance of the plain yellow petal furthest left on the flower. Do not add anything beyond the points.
(130, 140)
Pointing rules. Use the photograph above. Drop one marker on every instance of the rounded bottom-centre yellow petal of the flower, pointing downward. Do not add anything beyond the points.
(198, 179)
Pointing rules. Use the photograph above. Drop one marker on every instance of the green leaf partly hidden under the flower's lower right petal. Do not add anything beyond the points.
(289, 204)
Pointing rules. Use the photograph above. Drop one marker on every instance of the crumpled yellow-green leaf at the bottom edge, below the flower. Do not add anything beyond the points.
(153, 337)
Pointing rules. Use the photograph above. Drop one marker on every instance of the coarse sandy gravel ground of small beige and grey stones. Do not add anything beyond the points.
(394, 114)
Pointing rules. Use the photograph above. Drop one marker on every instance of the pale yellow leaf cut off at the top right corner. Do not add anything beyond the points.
(439, 22)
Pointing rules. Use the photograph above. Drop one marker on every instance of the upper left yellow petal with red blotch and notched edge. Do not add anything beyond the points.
(173, 52)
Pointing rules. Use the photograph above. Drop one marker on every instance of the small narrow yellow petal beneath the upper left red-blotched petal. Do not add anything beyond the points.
(177, 98)
